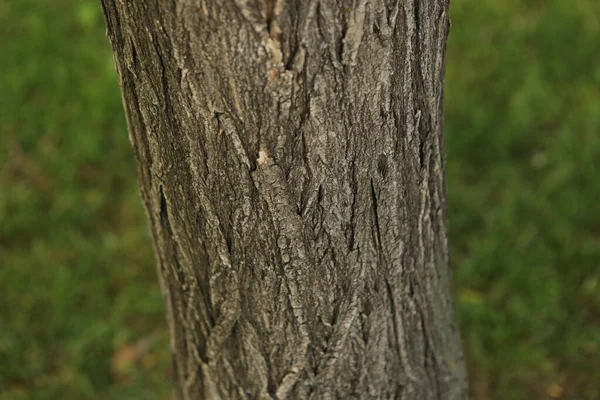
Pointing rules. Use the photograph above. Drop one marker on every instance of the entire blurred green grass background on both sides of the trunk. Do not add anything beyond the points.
(81, 314)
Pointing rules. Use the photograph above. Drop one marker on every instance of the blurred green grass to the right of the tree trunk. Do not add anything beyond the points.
(523, 133)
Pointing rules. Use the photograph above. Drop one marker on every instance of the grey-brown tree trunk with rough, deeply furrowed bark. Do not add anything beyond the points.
(291, 162)
